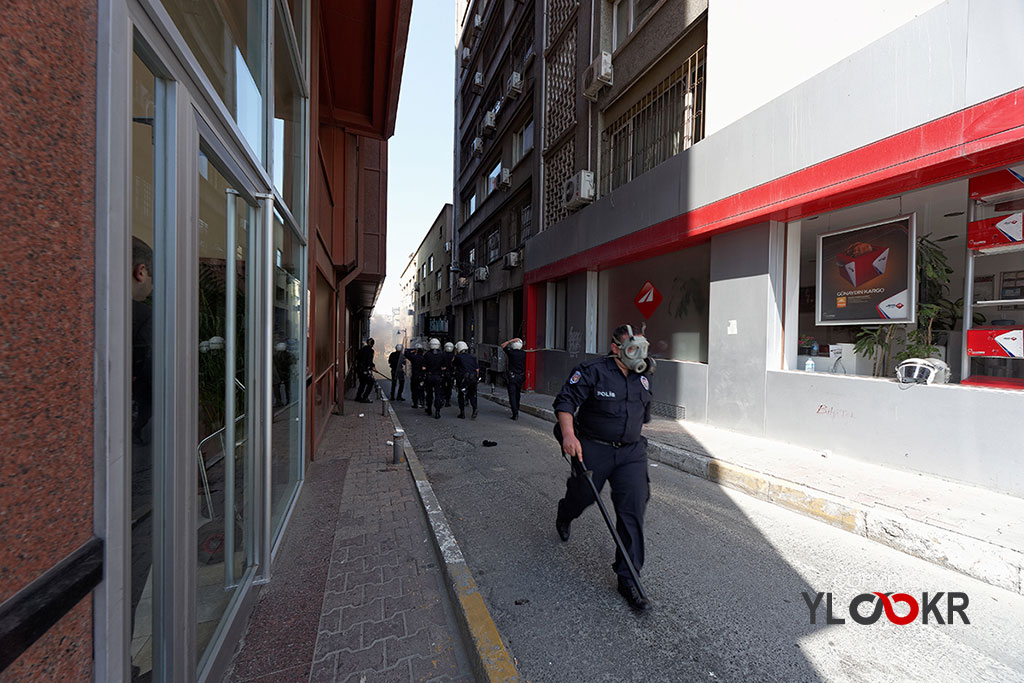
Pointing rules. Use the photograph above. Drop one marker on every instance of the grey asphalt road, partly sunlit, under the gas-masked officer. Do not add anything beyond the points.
(726, 574)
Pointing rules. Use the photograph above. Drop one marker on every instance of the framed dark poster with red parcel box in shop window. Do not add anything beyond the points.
(866, 274)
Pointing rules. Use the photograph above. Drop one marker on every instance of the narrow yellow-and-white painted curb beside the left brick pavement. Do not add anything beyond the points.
(491, 660)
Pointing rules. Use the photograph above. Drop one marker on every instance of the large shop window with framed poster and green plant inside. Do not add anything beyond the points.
(870, 273)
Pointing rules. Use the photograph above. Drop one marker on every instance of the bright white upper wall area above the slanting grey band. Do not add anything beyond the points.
(757, 52)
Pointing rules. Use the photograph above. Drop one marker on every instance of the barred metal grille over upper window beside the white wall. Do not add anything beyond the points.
(664, 122)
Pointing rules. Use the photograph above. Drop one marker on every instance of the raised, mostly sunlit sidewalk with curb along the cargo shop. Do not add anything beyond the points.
(966, 529)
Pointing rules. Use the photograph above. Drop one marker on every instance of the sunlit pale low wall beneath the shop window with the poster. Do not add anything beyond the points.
(976, 441)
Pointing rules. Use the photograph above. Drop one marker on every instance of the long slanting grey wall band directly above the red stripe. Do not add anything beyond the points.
(945, 61)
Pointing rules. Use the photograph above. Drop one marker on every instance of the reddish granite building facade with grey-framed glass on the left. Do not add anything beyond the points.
(207, 181)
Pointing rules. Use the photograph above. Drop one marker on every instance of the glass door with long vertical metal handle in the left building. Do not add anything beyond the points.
(225, 456)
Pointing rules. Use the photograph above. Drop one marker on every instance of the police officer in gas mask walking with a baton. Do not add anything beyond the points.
(602, 409)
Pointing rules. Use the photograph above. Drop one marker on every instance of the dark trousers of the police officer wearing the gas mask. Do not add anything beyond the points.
(626, 469)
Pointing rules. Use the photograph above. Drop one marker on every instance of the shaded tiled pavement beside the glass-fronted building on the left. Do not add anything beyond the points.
(357, 593)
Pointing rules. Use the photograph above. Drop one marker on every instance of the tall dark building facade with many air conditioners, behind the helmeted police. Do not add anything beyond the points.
(496, 183)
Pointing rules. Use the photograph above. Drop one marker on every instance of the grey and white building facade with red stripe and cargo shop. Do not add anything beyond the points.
(739, 165)
